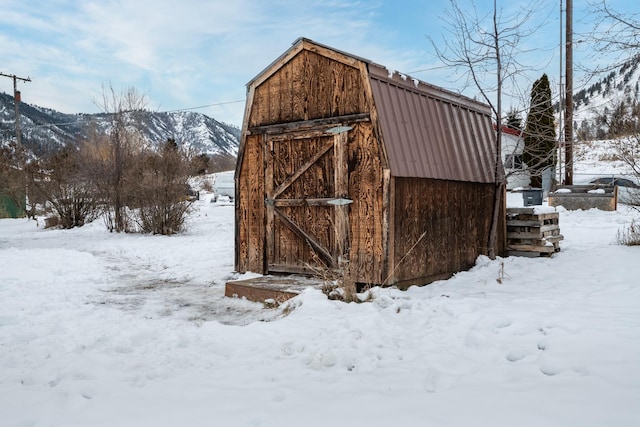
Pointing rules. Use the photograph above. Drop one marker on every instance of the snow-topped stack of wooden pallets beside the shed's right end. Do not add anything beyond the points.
(532, 234)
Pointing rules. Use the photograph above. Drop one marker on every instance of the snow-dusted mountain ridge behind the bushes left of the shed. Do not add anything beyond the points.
(44, 129)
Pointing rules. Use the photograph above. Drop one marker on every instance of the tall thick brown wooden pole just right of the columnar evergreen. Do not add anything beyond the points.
(568, 121)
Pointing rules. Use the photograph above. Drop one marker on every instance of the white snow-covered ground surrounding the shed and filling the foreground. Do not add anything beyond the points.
(100, 329)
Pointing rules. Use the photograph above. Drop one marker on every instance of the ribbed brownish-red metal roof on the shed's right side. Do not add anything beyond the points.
(429, 132)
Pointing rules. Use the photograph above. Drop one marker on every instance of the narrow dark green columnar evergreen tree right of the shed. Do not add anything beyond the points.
(540, 132)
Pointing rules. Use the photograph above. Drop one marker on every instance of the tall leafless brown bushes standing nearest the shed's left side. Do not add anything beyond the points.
(141, 188)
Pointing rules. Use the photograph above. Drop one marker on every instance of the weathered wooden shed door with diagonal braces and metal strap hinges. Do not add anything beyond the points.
(307, 208)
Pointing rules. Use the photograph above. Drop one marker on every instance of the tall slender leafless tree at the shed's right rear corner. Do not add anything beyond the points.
(487, 50)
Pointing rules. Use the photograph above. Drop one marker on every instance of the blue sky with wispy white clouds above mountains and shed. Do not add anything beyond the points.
(199, 55)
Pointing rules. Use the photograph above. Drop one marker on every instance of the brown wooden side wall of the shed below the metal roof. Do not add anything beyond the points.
(440, 227)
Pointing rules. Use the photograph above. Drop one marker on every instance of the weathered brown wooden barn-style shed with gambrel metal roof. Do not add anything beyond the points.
(342, 162)
